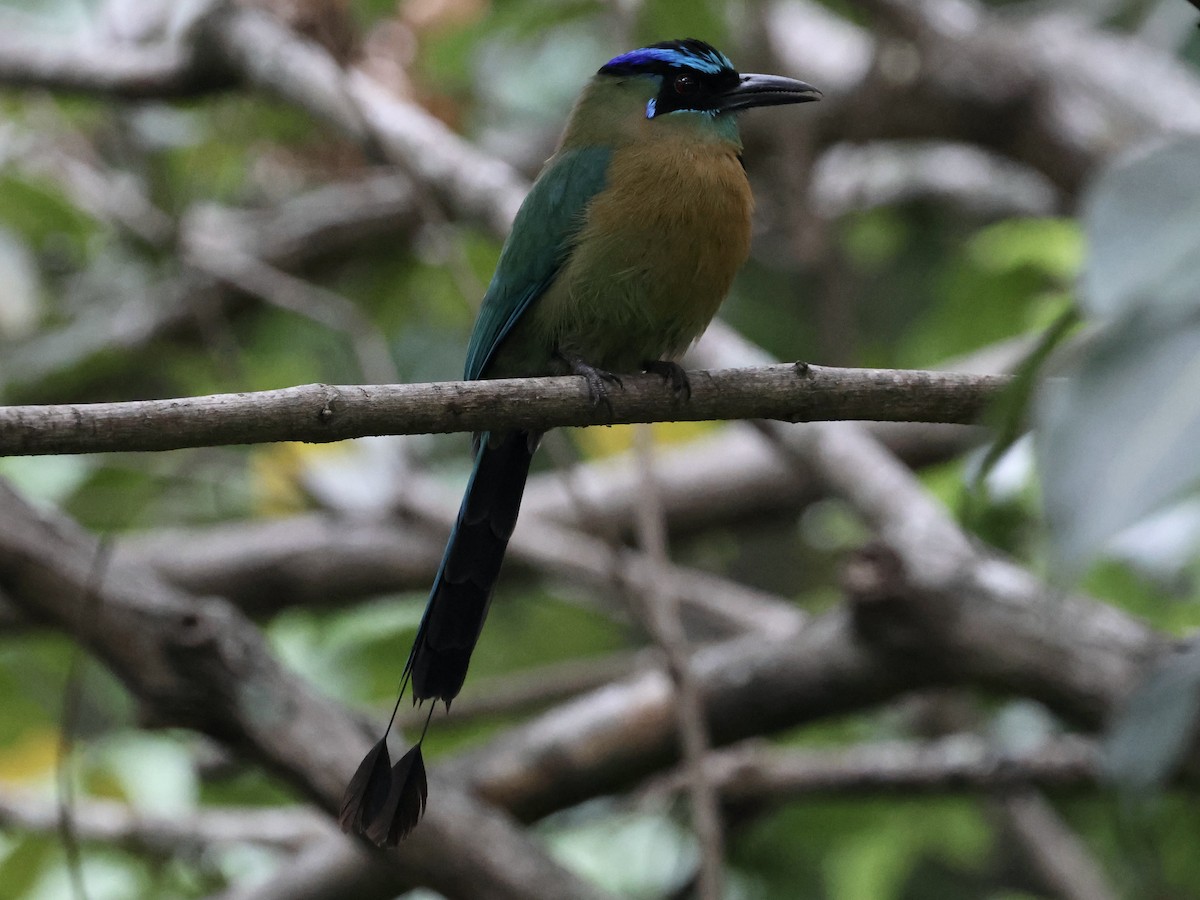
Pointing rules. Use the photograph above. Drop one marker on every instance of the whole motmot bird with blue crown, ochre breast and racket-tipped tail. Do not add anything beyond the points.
(617, 261)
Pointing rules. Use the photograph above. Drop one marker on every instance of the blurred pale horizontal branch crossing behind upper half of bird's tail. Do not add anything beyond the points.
(317, 560)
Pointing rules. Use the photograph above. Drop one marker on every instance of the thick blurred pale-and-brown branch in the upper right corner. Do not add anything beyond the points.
(1043, 88)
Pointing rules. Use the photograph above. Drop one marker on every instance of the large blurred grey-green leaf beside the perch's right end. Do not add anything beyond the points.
(1119, 430)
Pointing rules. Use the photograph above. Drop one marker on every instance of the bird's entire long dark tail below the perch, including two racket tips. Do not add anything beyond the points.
(386, 802)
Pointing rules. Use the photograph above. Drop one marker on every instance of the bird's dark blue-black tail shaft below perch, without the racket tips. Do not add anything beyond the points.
(463, 590)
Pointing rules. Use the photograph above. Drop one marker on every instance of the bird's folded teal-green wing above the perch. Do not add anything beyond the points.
(542, 239)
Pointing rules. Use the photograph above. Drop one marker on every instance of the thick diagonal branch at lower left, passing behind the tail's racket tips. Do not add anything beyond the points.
(201, 664)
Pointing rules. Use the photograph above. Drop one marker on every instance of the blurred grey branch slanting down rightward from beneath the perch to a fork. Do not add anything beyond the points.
(925, 556)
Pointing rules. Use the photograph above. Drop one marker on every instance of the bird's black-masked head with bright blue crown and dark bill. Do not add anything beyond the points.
(694, 77)
